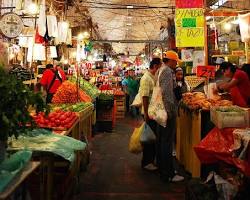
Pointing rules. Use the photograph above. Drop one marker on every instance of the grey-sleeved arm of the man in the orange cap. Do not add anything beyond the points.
(166, 84)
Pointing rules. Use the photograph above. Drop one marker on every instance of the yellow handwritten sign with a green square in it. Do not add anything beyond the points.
(189, 27)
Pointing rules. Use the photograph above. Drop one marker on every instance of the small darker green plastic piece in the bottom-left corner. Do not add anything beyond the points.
(12, 166)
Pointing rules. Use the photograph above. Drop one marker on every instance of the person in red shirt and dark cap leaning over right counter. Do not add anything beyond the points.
(238, 86)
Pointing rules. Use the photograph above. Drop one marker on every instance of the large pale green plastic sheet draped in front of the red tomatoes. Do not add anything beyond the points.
(44, 140)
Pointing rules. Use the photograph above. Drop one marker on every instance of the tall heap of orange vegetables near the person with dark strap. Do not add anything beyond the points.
(67, 93)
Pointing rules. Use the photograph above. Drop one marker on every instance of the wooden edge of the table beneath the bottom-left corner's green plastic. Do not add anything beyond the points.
(19, 180)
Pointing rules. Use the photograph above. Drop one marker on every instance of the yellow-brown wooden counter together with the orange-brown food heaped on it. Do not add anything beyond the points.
(193, 123)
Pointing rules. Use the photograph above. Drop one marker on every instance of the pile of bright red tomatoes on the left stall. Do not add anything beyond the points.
(59, 120)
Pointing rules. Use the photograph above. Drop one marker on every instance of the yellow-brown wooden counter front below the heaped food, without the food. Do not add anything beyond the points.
(191, 128)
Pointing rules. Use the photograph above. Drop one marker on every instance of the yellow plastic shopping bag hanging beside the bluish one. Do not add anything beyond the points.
(134, 143)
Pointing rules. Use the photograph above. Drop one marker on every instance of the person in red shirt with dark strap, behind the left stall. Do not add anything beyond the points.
(51, 80)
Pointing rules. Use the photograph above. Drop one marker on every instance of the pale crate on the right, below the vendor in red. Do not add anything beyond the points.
(229, 116)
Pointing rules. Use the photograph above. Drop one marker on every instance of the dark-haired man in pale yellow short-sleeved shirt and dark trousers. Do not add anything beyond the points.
(147, 84)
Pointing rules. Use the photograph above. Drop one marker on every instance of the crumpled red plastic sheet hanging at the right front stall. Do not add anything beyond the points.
(218, 146)
